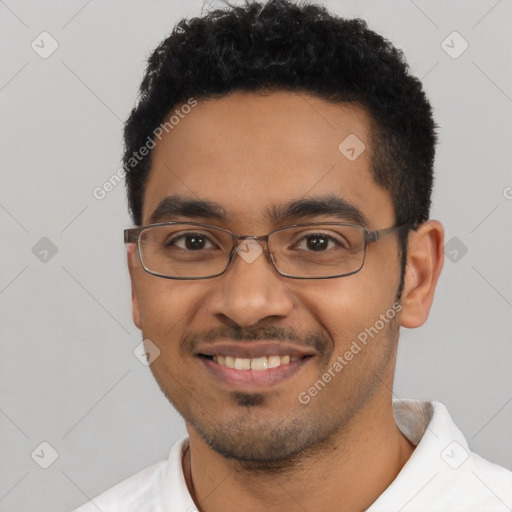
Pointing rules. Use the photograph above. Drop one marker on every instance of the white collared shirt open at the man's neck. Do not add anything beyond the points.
(442, 475)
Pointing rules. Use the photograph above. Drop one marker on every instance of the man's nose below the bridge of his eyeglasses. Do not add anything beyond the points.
(250, 290)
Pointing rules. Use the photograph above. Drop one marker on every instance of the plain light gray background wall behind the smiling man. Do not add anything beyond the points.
(67, 372)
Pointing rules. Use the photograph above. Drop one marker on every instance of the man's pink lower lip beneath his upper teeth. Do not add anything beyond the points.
(247, 379)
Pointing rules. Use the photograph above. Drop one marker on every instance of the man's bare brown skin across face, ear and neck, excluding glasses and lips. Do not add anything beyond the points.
(342, 449)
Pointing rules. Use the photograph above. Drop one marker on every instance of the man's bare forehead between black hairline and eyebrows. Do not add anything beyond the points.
(251, 153)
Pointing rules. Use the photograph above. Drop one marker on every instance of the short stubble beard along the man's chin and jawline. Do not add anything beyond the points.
(299, 434)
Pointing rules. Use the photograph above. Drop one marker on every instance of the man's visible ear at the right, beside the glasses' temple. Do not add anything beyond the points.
(425, 258)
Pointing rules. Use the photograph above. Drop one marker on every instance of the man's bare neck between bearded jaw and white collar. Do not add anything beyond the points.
(347, 474)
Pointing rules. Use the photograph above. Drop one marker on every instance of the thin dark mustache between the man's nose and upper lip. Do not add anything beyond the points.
(190, 342)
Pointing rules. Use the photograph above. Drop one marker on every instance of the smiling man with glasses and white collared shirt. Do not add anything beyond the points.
(279, 169)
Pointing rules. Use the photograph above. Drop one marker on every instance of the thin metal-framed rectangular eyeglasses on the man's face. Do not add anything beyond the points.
(190, 250)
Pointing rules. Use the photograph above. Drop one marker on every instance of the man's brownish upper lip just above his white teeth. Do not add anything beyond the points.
(253, 349)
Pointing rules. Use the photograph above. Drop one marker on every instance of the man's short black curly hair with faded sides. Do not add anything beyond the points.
(282, 45)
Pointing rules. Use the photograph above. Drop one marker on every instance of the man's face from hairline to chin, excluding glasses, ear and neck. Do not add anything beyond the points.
(249, 153)
